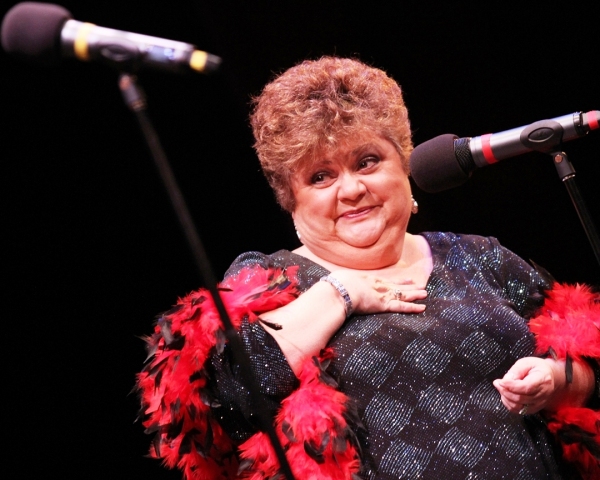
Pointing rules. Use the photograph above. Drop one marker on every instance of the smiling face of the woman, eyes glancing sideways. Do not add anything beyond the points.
(353, 204)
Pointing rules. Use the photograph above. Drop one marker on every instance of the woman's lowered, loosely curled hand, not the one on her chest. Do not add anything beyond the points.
(529, 385)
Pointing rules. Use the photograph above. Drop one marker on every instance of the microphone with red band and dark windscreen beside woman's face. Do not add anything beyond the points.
(447, 161)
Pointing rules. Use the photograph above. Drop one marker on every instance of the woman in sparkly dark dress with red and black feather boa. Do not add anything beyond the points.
(434, 365)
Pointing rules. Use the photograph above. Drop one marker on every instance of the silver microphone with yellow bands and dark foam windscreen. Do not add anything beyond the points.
(43, 33)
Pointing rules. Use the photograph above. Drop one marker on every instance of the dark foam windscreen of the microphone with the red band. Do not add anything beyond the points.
(434, 167)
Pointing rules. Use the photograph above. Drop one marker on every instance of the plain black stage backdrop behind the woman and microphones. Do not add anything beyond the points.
(91, 247)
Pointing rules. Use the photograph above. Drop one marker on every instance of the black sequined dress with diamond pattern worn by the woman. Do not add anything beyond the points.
(422, 382)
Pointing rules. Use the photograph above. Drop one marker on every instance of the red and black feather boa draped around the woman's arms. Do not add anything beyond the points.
(313, 423)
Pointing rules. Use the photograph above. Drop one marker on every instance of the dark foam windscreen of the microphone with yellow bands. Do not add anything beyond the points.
(31, 31)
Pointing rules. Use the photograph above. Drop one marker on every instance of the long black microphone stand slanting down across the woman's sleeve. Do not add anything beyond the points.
(136, 102)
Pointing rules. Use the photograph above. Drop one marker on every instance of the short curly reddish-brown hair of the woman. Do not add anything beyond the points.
(314, 105)
